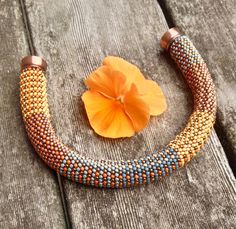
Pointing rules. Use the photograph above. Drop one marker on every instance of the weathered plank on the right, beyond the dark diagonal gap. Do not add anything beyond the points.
(212, 28)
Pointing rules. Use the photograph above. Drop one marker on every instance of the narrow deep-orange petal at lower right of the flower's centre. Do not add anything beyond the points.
(136, 108)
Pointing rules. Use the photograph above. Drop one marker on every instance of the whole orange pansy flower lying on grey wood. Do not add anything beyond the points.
(120, 100)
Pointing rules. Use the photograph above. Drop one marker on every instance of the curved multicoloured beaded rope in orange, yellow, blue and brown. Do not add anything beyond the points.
(120, 174)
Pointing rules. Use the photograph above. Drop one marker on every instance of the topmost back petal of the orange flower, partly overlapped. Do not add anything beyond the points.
(129, 70)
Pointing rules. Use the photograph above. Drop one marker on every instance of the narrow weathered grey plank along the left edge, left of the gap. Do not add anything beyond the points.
(29, 193)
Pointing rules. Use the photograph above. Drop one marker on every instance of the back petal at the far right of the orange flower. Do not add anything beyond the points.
(152, 94)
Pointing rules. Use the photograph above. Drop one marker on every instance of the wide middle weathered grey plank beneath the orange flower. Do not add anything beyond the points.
(74, 37)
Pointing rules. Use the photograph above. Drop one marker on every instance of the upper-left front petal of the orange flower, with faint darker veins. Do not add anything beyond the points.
(108, 82)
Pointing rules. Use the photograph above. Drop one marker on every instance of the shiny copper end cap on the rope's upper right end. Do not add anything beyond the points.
(169, 37)
